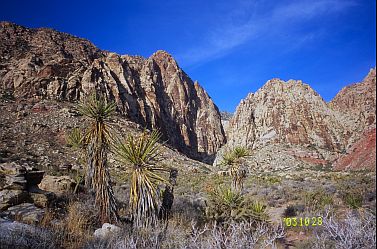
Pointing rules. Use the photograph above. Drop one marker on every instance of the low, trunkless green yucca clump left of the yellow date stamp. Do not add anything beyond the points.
(226, 205)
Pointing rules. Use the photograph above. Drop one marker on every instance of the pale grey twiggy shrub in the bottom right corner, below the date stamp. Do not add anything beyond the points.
(356, 230)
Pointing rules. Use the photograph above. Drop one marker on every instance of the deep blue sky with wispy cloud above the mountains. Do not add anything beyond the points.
(231, 47)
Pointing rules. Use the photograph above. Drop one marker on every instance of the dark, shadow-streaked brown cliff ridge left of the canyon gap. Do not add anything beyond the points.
(154, 92)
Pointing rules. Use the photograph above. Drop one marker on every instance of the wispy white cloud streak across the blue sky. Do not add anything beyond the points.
(278, 21)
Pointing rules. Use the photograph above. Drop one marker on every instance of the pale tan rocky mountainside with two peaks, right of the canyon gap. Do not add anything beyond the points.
(289, 123)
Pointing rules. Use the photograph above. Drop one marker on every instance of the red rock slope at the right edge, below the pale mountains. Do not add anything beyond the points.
(361, 155)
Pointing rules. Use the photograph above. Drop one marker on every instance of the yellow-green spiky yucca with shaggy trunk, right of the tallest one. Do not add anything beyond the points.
(141, 155)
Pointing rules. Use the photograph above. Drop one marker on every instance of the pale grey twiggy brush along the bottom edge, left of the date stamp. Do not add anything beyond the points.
(236, 235)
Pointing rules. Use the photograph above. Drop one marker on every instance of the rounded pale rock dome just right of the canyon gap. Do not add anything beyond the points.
(289, 113)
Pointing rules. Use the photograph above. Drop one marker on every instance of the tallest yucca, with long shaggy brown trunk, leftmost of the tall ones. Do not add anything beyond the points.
(98, 140)
